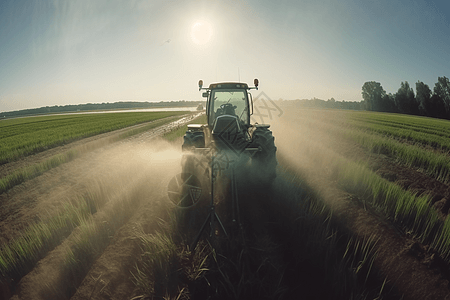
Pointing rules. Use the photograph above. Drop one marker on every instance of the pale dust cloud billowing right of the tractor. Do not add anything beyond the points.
(305, 147)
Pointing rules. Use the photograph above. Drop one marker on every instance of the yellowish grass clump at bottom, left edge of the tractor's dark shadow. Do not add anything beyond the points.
(164, 262)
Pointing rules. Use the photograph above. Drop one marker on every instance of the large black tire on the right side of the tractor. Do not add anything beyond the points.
(264, 162)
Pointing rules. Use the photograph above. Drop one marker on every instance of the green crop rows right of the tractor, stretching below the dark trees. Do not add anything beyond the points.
(412, 141)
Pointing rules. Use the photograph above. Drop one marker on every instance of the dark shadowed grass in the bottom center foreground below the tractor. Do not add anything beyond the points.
(291, 248)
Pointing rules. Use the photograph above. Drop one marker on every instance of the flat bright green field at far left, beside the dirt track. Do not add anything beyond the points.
(30, 135)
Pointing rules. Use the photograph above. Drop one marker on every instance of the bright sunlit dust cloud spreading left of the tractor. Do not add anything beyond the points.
(120, 179)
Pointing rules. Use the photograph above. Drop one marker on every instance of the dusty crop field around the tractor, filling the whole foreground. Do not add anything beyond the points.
(359, 207)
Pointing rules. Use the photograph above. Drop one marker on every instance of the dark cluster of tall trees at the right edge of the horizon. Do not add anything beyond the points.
(424, 102)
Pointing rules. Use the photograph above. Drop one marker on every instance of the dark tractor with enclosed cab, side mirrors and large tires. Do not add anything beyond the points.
(229, 132)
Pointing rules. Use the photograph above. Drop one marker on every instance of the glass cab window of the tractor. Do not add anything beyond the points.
(230, 102)
